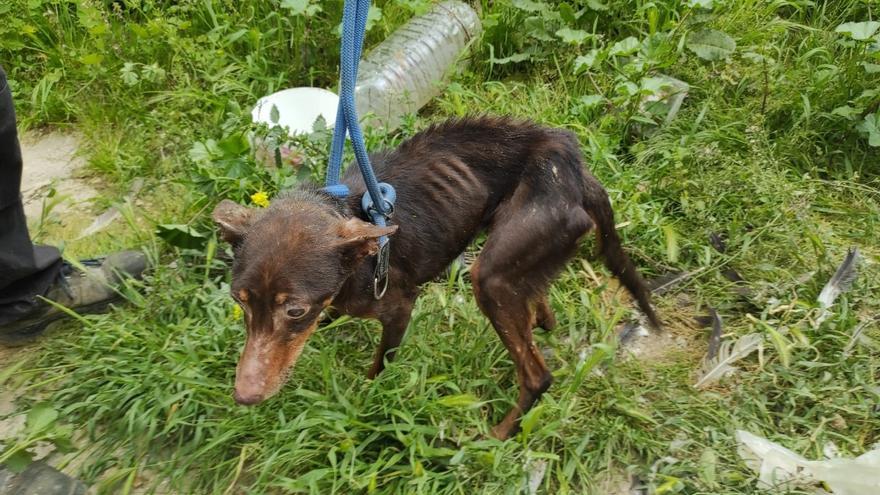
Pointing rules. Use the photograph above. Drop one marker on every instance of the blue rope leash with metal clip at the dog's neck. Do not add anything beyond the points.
(378, 201)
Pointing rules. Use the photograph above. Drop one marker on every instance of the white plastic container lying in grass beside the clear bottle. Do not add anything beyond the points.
(298, 108)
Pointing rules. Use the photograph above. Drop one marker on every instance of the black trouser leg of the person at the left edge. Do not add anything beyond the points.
(26, 271)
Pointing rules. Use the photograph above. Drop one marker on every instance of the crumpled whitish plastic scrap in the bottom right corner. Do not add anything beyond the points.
(779, 467)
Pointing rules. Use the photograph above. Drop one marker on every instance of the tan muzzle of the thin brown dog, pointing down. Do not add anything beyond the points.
(266, 363)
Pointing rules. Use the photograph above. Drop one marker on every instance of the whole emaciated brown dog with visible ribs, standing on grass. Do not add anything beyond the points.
(525, 185)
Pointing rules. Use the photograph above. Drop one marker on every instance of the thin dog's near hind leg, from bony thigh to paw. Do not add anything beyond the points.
(511, 278)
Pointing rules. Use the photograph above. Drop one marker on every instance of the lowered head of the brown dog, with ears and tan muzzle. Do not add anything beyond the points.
(291, 260)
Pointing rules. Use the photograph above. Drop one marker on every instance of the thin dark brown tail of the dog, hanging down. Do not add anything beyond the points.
(598, 206)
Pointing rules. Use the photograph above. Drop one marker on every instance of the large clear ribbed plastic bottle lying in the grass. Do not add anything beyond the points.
(405, 71)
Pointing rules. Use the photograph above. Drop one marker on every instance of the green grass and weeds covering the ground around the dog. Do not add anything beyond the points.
(770, 150)
